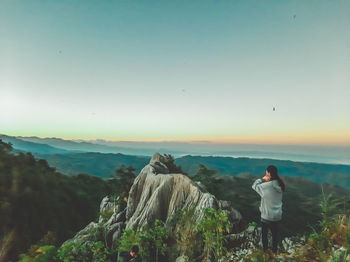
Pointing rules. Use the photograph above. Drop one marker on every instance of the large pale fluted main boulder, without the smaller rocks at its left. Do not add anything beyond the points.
(156, 194)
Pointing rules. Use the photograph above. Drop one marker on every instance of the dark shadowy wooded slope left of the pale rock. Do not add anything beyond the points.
(35, 199)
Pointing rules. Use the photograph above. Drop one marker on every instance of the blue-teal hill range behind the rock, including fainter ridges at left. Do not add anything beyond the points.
(75, 157)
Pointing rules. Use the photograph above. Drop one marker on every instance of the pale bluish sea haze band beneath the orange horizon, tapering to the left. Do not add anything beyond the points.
(309, 153)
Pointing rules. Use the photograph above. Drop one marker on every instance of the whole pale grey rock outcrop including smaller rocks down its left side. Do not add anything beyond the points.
(158, 194)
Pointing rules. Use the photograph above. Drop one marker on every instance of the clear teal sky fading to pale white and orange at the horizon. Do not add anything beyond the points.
(176, 70)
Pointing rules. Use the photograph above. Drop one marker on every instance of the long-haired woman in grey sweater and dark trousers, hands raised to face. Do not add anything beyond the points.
(271, 189)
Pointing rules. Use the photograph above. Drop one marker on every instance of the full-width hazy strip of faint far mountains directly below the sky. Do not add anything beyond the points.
(317, 154)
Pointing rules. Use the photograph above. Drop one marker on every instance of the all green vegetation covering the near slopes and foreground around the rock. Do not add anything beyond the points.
(41, 208)
